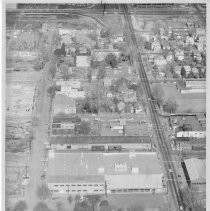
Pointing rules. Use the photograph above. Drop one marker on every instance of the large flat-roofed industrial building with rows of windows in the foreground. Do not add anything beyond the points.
(103, 173)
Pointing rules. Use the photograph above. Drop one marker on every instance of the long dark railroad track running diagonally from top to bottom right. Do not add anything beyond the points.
(161, 142)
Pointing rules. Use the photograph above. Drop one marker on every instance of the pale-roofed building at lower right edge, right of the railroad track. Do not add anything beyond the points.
(196, 170)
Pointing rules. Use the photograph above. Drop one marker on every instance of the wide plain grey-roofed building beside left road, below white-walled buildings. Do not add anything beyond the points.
(64, 104)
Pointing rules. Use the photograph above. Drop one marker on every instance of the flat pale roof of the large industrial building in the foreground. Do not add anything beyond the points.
(72, 166)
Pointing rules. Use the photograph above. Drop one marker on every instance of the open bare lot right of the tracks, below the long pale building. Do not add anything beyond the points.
(192, 102)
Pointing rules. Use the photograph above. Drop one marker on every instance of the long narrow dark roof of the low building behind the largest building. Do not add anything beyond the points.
(100, 139)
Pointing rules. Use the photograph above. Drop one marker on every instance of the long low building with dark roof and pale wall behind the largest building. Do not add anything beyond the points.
(105, 143)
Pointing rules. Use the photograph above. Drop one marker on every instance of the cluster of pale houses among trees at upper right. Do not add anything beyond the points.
(174, 42)
